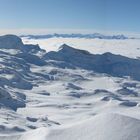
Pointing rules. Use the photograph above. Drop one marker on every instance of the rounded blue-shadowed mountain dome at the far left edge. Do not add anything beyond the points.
(10, 42)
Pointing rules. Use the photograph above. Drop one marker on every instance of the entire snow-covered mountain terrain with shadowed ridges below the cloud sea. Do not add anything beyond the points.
(67, 94)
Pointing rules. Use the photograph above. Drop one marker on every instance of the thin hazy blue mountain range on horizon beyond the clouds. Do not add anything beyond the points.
(87, 36)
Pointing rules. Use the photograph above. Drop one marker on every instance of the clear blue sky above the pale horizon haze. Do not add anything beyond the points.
(110, 15)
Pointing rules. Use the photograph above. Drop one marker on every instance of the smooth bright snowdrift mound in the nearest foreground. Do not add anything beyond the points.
(101, 127)
